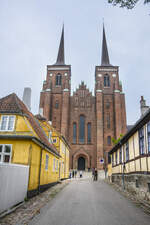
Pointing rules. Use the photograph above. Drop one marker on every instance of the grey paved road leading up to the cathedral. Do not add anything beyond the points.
(84, 202)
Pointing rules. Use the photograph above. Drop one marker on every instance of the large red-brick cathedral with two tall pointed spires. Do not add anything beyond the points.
(87, 121)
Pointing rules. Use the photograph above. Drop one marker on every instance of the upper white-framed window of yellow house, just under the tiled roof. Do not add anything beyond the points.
(7, 123)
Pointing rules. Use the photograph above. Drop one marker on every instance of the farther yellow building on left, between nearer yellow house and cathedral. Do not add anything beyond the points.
(61, 145)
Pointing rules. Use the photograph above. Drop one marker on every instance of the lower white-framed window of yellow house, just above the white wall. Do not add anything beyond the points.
(5, 153)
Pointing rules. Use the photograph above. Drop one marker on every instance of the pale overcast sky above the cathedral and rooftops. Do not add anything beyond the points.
(29, 38)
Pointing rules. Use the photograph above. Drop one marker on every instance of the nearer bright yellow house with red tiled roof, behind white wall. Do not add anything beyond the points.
(23, 141)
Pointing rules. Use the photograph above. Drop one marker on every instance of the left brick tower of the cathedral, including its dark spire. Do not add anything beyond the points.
(54, 99)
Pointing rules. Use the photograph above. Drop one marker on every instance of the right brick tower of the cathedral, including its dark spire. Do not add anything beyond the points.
(110, 105)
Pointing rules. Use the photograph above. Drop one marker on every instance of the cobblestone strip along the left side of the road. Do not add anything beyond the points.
(23, 214)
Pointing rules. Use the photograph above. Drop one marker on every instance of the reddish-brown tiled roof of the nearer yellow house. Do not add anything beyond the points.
(12, 104)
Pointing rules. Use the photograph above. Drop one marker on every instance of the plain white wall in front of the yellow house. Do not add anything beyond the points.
(13, 184)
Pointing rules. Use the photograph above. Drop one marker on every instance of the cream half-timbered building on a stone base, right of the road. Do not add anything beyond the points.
(130, 158)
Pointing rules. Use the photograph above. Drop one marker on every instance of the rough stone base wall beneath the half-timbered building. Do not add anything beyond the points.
(137, 184)
